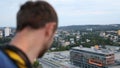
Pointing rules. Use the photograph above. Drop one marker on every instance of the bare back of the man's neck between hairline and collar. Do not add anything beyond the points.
(26, 43)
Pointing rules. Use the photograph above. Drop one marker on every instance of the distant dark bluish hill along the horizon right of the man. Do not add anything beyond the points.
(93, 27)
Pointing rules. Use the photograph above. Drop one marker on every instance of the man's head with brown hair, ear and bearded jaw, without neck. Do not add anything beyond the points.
(39, 17)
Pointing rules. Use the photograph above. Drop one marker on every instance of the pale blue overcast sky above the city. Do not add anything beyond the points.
(70, 12)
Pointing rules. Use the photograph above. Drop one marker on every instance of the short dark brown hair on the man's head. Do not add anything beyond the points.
(35, 15)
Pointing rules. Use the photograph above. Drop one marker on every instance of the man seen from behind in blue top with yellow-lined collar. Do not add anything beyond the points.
(36, 25)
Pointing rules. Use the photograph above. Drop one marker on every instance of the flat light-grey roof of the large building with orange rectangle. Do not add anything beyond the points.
(93, 50)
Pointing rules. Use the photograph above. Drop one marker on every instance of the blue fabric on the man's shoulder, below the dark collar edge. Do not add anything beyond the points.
(5, 62)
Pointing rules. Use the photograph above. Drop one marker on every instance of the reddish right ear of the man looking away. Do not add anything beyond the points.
(49, 30)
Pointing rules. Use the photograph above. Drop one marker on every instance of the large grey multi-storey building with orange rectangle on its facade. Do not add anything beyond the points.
(91, 57)
